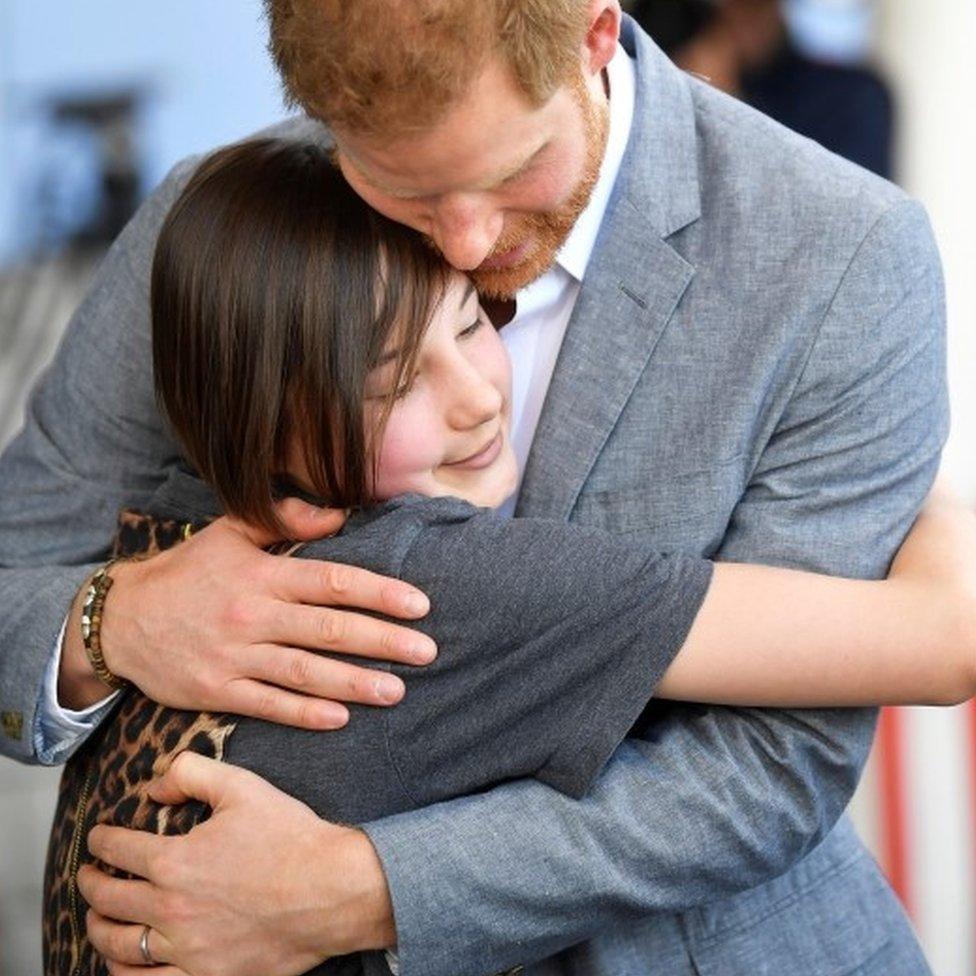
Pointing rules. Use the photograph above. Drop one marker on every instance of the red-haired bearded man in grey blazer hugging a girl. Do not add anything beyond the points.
(739, 352)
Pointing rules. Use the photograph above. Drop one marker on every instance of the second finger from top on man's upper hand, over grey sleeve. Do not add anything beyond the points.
(347, 632)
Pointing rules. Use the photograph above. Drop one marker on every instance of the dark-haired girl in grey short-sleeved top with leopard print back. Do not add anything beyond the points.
(303, 343)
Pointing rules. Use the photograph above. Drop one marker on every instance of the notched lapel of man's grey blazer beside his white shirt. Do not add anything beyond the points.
(632, 286)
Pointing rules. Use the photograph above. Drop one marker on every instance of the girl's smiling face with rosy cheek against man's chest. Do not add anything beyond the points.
(448, 431)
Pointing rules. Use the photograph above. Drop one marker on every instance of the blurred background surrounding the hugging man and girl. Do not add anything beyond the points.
(98, 100)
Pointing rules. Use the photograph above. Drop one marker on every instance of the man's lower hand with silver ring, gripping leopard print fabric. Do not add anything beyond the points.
(262, 888)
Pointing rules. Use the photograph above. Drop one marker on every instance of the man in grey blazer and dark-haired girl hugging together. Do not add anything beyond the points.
(660, 537)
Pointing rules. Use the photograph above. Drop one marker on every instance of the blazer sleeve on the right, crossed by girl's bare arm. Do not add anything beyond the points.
(711, 801)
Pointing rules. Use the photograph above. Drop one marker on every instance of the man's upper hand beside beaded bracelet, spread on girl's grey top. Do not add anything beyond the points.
(216, 624)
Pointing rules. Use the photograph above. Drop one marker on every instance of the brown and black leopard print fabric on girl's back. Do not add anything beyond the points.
(106, 781)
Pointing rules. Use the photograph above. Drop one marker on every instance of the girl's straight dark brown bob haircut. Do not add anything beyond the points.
(275, 289)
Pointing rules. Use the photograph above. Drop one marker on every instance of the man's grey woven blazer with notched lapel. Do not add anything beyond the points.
(754, 370)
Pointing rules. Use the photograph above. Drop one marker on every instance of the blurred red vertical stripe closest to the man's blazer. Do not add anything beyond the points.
(894, 822)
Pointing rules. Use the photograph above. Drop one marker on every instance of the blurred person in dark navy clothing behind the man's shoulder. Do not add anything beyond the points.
(743, 47)
